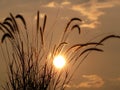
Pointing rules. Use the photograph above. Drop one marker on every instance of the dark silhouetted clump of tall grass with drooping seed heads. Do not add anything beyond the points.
(30, 61)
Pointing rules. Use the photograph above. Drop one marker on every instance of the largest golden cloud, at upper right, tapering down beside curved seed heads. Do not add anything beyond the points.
(92, 10)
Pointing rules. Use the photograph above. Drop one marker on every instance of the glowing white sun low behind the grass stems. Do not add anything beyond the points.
(59, 61)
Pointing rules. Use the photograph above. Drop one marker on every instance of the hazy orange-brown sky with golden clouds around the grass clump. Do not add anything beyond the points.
(100, 71)
